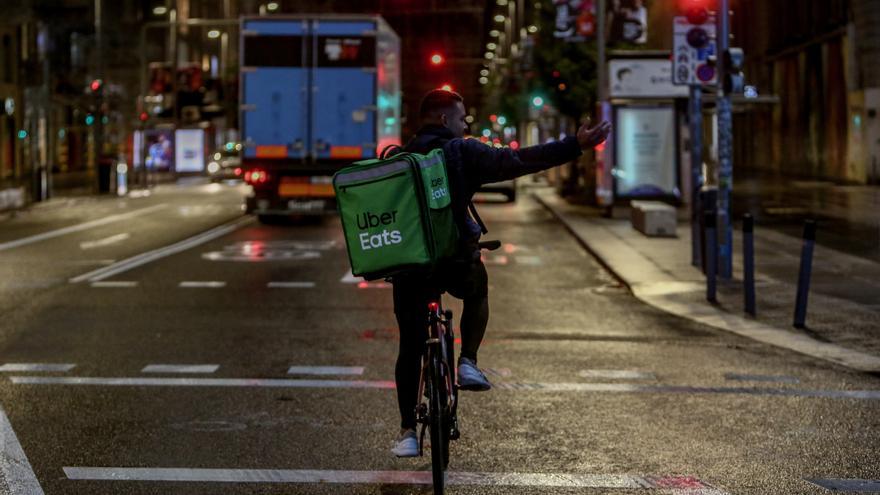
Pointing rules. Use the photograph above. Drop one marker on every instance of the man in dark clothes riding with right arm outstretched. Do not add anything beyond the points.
(470, 164)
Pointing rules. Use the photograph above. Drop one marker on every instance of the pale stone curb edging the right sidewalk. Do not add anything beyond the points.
(722, 320)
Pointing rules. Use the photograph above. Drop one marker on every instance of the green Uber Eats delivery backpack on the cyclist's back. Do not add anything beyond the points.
(396, 213)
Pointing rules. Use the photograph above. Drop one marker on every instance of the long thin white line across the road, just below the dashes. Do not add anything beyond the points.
(518, 386)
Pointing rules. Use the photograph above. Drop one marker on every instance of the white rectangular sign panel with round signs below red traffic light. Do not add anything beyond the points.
(692, 46)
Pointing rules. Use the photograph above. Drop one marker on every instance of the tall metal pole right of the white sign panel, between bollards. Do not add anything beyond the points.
(725, 148)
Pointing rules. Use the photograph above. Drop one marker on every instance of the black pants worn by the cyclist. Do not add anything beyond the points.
(467, 281)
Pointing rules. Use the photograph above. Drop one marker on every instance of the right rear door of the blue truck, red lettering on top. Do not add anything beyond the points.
(344, 91)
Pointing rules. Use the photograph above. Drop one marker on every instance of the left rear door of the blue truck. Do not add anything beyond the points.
(274, 84)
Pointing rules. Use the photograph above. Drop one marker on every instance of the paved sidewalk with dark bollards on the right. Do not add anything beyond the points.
(843, 315)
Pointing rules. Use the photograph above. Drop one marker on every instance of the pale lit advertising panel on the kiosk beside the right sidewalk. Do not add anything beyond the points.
(645, 152)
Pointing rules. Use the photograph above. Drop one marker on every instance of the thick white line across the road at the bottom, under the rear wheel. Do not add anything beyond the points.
(671, 484)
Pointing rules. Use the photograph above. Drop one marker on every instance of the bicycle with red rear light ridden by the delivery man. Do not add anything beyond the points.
(437, 384)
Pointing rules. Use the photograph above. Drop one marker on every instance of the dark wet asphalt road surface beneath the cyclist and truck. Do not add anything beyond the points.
(595, 392)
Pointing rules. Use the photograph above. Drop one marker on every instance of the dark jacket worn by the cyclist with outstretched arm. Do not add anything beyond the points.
(470, 164)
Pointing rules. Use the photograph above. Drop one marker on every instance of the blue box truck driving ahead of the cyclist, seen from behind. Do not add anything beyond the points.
(316, 94)
